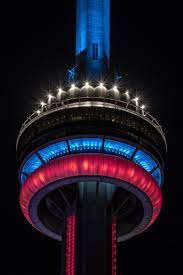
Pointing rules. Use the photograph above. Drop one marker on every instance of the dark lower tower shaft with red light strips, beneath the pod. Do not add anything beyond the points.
(90, 235)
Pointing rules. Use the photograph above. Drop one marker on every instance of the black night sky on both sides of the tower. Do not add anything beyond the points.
(37, 45)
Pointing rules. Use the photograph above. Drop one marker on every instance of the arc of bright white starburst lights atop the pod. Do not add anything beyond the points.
(87, 85)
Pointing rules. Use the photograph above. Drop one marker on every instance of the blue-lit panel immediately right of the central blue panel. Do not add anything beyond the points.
(119, 148)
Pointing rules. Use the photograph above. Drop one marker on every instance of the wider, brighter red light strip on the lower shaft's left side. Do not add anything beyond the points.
(70, 245)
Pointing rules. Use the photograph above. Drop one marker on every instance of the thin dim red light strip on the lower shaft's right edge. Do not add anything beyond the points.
(114, 247)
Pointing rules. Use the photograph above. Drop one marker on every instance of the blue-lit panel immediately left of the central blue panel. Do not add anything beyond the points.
(53, 151)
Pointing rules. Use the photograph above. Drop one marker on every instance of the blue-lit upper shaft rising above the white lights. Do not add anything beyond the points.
(93, 36)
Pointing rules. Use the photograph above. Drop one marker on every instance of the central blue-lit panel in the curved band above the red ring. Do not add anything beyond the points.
(85, 144)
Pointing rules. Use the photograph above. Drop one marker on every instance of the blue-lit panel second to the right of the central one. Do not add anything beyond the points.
(144, 161)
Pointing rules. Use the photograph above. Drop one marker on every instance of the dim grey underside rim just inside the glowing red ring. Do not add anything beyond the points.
(142, 197)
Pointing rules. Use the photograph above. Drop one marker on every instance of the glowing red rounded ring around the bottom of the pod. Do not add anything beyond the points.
(90, 165)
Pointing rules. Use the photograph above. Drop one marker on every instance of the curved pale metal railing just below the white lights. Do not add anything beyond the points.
(92, 102)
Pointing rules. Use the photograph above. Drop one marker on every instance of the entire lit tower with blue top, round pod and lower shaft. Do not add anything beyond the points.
(91, 158)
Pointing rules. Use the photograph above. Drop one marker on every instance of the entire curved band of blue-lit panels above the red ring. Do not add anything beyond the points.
(90, 145)
